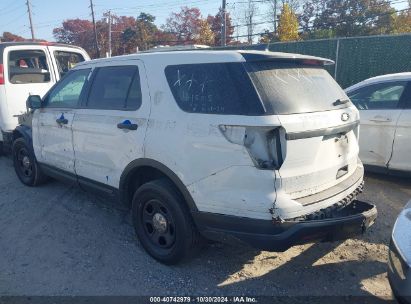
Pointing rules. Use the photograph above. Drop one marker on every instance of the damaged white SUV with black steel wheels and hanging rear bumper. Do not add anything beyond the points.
(258, 146)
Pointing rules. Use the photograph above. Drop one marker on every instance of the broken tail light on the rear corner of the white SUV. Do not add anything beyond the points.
(263, 144)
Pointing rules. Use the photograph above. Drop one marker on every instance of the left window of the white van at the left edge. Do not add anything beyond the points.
(28, 66)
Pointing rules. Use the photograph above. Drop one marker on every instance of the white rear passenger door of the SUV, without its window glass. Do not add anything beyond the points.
(102, 150)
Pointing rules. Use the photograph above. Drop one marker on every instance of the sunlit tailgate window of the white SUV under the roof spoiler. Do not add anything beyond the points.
(288, 88)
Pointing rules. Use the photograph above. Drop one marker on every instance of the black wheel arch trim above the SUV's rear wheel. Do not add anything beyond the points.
(143, 170)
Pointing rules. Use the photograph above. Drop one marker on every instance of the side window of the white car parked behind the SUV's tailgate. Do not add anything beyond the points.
(382, 96)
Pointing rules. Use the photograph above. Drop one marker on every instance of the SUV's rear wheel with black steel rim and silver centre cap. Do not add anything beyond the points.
(163, 223)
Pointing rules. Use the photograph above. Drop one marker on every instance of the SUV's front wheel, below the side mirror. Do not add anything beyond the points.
(25, 164)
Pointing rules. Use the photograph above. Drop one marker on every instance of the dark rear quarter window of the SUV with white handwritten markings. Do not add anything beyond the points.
(213, 88)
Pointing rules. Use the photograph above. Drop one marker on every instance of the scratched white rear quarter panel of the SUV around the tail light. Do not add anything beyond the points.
(220, 176)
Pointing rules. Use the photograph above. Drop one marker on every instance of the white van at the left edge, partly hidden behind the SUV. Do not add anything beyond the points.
(30, 68)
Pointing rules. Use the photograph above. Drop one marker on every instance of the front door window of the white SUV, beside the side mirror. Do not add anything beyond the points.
(67, 92)
